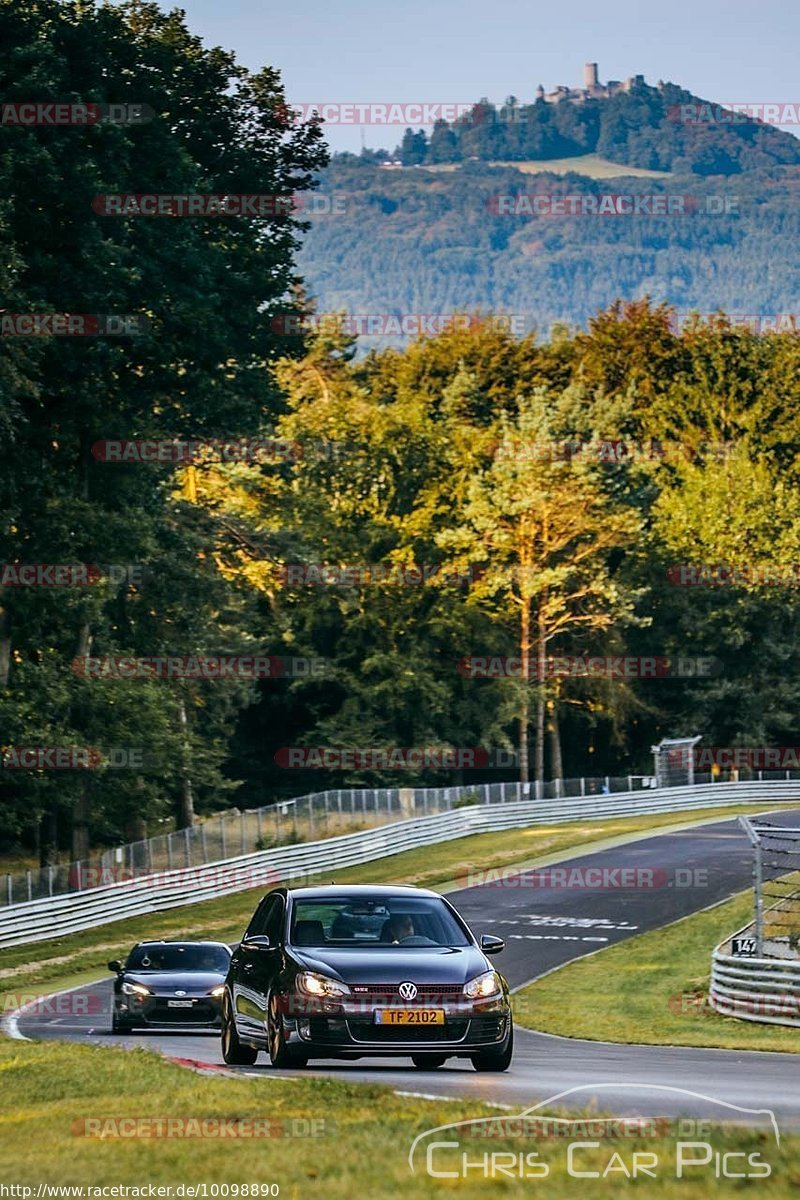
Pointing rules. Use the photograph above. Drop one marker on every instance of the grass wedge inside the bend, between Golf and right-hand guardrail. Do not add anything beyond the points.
(652, 988)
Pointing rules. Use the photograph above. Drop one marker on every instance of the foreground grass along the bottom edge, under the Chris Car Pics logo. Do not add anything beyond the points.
(363, 1137)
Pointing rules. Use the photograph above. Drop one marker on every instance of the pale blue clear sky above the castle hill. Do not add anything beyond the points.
(456, 51)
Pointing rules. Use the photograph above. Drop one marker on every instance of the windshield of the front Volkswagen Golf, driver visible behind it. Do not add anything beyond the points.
(382, 922)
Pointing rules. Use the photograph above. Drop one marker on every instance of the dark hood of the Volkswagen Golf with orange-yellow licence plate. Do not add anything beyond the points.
(429, 964)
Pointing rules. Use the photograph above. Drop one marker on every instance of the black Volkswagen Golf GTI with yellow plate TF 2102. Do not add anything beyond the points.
(346, 973)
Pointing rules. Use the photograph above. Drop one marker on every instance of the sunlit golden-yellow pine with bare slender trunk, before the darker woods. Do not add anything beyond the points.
(545, 533)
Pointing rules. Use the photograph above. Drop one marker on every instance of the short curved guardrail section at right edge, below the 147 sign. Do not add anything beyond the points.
(755, 989)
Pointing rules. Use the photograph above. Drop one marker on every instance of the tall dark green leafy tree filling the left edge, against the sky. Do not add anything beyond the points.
(209, 289)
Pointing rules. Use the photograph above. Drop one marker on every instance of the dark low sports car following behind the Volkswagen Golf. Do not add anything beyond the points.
(170, 983)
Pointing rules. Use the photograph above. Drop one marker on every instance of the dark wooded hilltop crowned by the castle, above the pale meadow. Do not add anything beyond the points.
(658, 129)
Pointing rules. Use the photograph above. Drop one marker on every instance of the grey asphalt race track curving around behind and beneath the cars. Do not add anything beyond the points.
(548, 921)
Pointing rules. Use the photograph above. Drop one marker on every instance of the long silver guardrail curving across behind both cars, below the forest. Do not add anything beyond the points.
(38, 921)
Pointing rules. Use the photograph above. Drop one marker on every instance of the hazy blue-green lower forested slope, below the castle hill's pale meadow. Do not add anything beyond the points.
(437, 243)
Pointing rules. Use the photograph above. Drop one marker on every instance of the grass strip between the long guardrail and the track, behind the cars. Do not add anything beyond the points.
(436, 867)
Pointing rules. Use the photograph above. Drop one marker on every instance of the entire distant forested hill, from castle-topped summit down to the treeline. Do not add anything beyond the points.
(468, 219)
